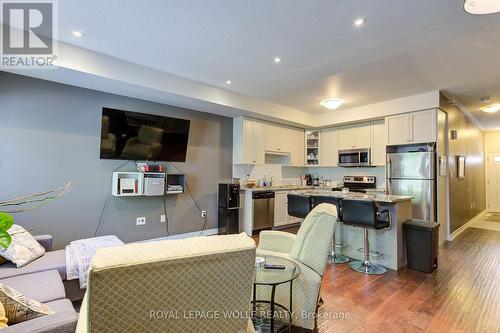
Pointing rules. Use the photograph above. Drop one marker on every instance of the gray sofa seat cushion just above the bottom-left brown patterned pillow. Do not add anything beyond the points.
(43, 286)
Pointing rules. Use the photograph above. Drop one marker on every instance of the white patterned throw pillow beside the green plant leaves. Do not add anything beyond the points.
(23, 248)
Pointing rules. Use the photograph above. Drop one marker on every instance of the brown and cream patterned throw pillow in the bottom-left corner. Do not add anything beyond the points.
(19, 308)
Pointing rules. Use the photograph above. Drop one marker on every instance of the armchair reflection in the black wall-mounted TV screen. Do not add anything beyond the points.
(146, 145)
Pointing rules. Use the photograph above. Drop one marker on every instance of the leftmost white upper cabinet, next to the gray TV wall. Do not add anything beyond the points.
(248, 141)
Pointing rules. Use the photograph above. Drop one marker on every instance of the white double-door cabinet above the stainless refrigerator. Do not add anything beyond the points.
(415, 127)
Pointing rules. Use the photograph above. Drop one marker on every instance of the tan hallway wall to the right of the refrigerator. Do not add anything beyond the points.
(467, 195)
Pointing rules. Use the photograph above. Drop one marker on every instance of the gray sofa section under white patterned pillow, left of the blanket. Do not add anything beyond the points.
(53, 260)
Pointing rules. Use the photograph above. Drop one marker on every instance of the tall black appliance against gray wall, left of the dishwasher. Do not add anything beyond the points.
(229, 207)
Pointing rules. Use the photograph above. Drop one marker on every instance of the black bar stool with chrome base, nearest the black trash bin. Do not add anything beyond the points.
(365, 214)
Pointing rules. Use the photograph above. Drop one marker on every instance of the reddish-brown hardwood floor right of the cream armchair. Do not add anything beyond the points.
(462, 295)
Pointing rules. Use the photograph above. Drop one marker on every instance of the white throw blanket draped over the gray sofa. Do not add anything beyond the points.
(79, 254)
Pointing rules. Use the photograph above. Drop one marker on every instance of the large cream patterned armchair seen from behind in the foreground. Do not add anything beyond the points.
(200, 284)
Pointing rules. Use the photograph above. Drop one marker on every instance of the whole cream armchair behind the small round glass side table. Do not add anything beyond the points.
(309, 249)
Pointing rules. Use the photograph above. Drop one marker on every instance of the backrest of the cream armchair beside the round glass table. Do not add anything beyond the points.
(314, 237)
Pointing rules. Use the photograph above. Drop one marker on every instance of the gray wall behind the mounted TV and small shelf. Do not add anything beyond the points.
(50, 134)
